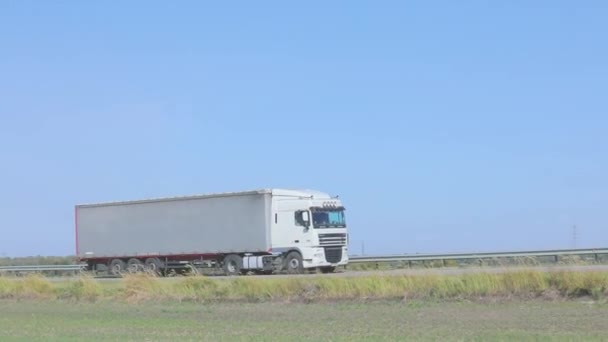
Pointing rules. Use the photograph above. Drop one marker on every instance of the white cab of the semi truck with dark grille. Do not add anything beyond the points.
(308, 230)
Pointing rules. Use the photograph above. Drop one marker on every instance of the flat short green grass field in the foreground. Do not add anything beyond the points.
(347, 321)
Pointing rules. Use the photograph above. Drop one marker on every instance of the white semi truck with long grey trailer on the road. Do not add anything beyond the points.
(264, 231)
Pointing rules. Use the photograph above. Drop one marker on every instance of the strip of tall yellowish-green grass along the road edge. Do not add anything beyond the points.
(474, 286)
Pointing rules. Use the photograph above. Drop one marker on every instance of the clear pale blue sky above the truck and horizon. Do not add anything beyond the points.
(444, 126)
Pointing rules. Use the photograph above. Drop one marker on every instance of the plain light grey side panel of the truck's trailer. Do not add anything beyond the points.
(195, 225)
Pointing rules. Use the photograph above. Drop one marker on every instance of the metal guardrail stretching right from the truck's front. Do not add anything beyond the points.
(462, 256)
